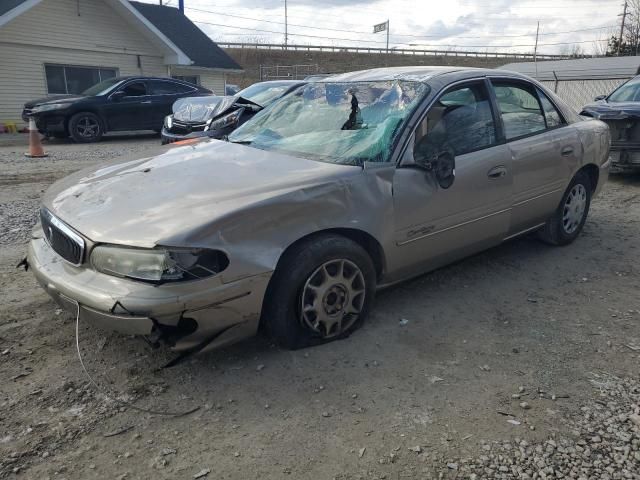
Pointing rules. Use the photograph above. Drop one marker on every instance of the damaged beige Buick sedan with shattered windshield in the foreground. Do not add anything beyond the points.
(347, 185)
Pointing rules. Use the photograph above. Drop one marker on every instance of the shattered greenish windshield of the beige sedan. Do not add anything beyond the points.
(347, 123)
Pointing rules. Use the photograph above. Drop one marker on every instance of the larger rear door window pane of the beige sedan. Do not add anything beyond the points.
(520, 109)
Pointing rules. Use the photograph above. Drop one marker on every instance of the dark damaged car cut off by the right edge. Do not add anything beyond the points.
(621, 111)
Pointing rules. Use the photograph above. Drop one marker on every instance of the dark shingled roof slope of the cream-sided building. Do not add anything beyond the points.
(187, 36)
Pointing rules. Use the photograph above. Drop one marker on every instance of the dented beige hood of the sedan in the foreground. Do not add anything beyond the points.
(146, 202)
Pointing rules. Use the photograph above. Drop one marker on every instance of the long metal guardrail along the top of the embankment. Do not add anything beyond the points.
(391, 51)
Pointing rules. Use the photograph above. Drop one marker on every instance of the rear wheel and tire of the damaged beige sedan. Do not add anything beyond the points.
(566, 223)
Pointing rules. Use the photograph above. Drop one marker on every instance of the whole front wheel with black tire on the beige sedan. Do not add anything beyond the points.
(321, 291)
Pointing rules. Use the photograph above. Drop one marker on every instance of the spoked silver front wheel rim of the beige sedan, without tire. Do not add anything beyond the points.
(333, 298)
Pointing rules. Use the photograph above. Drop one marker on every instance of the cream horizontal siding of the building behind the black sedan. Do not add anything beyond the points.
(78, 33)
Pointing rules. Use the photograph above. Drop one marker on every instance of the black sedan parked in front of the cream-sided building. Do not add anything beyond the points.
(115, 104)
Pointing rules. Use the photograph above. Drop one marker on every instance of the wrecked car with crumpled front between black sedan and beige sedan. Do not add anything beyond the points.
(216, 117)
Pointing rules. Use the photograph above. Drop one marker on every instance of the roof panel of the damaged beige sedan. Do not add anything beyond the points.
(415, 74)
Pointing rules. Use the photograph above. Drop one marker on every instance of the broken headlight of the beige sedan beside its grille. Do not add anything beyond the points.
(158, 264)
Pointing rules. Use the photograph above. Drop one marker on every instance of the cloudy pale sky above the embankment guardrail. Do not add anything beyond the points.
(477, 25)
